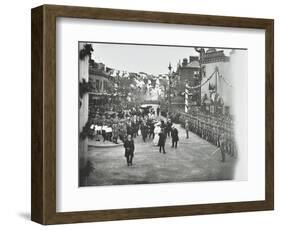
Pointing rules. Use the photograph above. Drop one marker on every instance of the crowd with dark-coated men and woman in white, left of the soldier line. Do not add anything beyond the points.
(124, 126)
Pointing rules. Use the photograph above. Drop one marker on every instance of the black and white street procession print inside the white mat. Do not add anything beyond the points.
(151, 113)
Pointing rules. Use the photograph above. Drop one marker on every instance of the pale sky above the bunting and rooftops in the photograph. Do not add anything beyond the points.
(150, 59)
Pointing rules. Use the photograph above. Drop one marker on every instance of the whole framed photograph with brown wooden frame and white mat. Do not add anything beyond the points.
(140, 114)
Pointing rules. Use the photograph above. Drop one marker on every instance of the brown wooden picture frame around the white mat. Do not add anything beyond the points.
(43, 208)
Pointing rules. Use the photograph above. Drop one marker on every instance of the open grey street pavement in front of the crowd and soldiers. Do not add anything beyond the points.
(194, 160)
